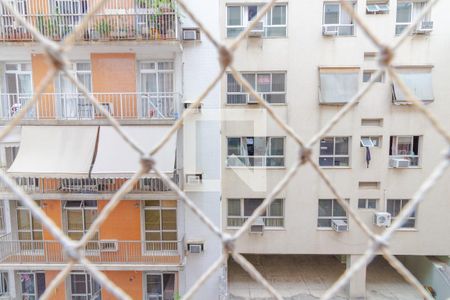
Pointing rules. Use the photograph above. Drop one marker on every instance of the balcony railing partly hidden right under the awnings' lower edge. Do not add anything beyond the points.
(86, 185)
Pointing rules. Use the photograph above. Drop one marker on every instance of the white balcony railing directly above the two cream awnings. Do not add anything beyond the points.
(75, 106)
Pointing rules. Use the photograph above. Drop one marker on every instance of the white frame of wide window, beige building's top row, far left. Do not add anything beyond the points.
(244, 22)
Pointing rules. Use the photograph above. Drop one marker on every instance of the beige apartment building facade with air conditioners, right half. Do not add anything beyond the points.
(307, 59)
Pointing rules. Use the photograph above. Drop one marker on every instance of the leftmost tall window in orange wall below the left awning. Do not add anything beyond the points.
(29, 230)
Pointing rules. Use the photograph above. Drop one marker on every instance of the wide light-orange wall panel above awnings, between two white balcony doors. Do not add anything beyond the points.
(113, 72)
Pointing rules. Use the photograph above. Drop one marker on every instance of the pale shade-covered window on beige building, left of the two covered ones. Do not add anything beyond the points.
(338, 85)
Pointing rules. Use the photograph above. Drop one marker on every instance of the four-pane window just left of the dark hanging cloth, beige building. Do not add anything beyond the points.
(334, 152)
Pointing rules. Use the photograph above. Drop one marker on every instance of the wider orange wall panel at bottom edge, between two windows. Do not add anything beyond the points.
(129, 281)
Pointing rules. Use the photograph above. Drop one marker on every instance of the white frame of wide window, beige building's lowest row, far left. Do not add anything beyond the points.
(267, 217)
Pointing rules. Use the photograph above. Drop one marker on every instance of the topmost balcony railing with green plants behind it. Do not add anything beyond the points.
(117, 20)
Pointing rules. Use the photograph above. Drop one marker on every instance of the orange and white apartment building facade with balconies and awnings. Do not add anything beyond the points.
(140, 60)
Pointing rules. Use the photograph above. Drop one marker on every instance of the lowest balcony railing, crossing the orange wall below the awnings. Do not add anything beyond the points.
(99, 252)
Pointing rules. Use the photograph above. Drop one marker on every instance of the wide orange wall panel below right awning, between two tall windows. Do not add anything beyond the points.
(123, 223)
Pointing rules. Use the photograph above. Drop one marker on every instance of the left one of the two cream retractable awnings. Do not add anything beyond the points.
(55, 151)
